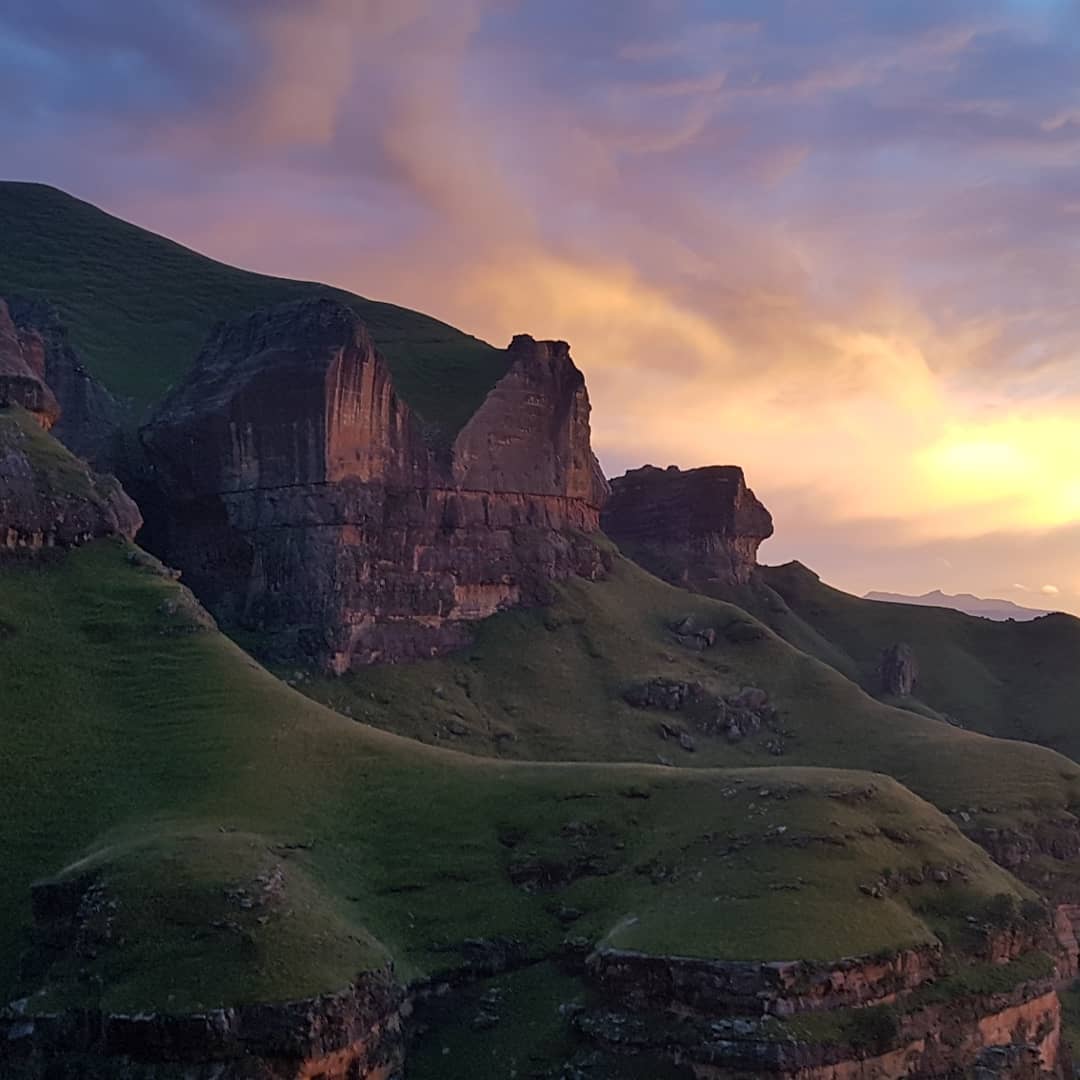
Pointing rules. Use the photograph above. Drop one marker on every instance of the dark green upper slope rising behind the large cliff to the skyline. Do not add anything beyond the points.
(139, 307)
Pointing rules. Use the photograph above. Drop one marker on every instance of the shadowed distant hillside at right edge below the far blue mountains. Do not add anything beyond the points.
(1012, 680)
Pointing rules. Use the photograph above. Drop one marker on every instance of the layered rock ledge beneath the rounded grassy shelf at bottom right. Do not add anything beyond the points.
(726, 1020)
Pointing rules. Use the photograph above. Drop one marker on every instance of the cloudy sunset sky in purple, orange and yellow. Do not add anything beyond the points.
(832, 241)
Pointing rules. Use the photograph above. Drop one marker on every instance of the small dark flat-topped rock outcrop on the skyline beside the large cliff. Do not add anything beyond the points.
(696, 529)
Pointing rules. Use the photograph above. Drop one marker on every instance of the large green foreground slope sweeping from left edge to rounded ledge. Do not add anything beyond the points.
(182, 771)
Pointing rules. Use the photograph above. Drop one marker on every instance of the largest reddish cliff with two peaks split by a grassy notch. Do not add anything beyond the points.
(303, 501)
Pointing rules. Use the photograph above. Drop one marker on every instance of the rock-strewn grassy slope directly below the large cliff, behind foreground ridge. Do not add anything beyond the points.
(548, 684)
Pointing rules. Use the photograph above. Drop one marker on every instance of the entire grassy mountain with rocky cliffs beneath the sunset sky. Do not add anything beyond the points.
(609, 827)
